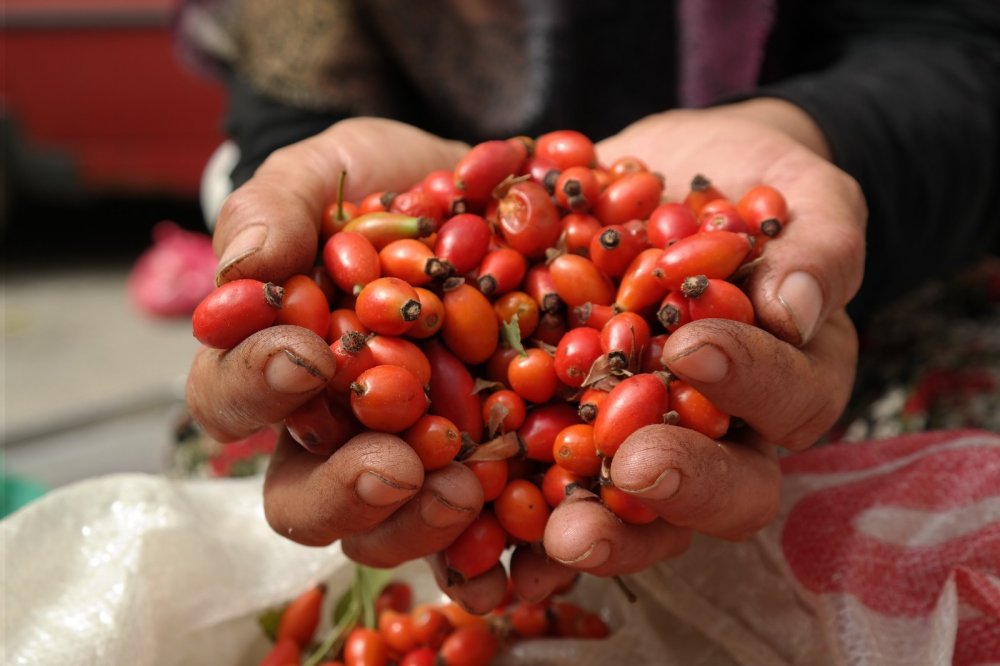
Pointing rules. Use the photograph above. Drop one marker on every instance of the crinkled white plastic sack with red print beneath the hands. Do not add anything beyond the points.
(134, 569)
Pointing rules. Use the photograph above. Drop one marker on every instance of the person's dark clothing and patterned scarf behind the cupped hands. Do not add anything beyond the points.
(907, 92)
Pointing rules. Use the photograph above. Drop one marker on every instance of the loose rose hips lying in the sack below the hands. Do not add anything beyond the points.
(423, 634)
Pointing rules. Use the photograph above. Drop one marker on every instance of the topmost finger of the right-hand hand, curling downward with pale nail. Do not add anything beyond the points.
(814, 266)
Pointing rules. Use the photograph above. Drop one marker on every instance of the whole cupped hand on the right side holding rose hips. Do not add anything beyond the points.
(787, 381)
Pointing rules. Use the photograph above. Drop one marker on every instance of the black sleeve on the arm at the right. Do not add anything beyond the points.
(909, 99)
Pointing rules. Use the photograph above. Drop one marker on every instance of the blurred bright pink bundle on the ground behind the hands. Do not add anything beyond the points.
(170, 278)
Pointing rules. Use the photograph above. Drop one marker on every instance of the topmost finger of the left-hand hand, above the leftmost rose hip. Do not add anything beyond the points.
(268, 228)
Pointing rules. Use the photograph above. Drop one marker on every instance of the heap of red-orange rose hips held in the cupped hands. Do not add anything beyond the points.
(510, 314)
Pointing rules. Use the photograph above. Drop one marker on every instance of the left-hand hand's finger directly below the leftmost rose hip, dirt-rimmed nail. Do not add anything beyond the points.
(233, 393)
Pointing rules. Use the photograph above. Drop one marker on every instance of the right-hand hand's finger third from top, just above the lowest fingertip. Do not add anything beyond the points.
(718, 488)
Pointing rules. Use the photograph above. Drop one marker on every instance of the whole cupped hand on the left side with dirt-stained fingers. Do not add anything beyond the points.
(372, 494)
